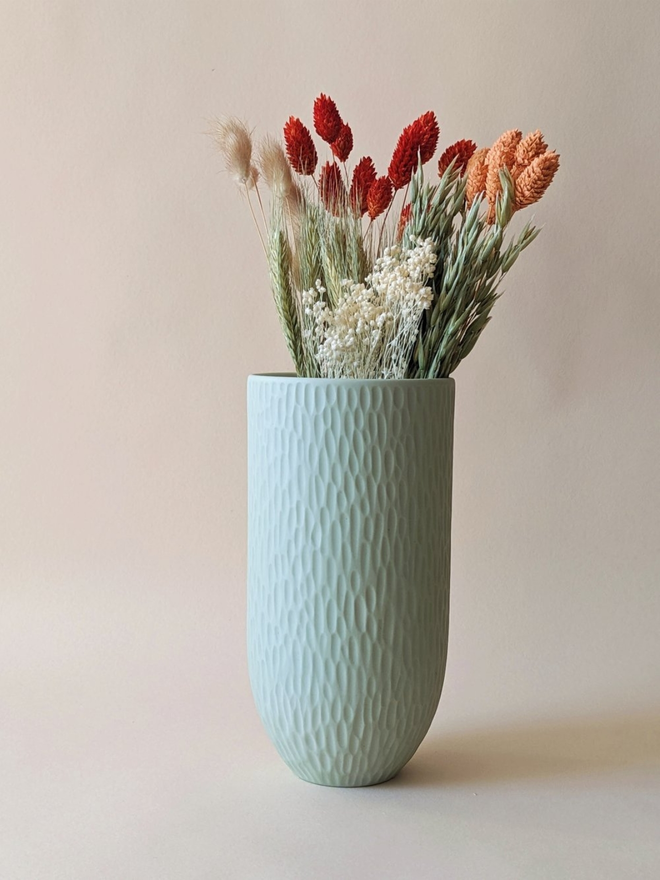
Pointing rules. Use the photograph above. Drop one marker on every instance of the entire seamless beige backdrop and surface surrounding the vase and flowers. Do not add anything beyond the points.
(133, 304)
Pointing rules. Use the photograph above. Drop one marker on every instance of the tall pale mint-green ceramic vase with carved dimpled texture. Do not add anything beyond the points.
(349, 518)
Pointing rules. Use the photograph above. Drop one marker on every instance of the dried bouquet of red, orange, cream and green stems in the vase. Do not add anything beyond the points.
(385, 276)
